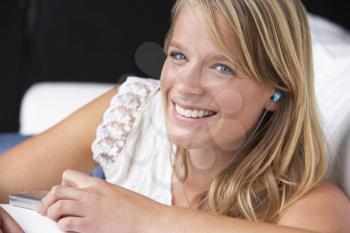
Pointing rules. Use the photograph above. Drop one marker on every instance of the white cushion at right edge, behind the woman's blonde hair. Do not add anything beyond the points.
(331, 47)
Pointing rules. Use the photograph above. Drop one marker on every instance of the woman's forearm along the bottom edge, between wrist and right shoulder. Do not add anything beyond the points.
(176, 220)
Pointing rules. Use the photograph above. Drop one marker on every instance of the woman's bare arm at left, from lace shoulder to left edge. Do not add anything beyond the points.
(39, 162)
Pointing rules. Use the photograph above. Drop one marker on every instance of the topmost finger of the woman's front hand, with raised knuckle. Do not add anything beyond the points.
(77, 179)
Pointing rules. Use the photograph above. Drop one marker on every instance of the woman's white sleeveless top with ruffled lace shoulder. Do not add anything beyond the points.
(131, 143)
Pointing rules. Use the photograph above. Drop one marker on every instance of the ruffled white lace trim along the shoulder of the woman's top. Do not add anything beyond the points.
(119, 118)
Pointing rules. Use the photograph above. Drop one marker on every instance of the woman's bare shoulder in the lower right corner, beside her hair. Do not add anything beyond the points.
(324, 209)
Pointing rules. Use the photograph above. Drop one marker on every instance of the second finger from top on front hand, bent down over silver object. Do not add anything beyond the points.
(59, 192)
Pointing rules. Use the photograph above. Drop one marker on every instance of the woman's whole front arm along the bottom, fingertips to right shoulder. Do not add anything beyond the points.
(325, 209)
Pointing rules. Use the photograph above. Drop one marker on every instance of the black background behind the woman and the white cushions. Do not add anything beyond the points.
(86, 40)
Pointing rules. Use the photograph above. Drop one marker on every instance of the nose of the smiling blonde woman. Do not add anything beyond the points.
(189, 83)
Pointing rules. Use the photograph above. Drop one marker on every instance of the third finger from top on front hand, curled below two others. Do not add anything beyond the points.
(63, 208)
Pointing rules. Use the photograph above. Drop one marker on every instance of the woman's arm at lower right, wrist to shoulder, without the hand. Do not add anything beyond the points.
(325, 209)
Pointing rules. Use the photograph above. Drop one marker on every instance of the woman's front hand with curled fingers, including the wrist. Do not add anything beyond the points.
(86, 204)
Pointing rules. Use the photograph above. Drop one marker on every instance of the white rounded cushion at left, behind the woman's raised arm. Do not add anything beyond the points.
(45, 104)
